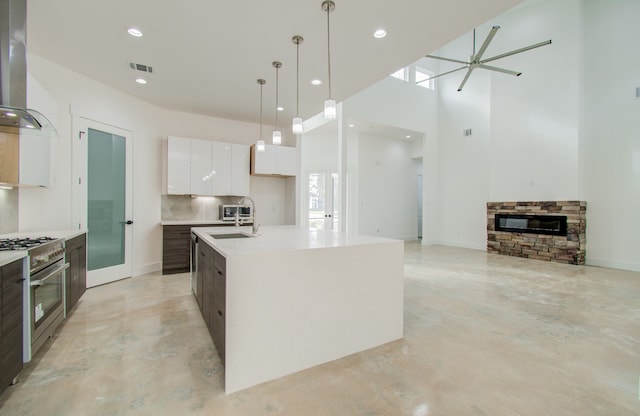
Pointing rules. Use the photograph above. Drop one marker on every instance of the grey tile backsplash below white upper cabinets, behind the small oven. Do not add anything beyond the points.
(198, 208)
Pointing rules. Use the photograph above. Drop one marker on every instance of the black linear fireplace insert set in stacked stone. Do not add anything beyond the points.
(532, 224)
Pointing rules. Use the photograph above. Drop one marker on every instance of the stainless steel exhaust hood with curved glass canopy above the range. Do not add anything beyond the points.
(13, 70)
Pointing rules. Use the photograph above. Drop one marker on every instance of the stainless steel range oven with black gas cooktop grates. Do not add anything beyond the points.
(44, 291)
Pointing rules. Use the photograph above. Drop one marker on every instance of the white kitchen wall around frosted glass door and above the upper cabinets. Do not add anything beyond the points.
(78, 96)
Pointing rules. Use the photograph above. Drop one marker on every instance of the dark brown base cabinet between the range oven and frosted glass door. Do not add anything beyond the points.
(76, 275)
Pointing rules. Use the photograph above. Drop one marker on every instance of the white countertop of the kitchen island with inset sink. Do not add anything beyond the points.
(280, 238)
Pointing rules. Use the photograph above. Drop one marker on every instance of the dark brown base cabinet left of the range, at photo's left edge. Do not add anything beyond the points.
(11, 281)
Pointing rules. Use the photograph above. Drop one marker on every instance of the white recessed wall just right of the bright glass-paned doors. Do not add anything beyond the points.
(387, 192)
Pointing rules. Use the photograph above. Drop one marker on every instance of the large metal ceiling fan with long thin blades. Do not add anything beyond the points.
(476, 61)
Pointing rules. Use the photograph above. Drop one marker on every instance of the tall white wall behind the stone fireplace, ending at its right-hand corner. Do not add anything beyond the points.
(524, 142)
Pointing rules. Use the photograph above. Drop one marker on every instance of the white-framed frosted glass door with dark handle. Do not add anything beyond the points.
(102, 199)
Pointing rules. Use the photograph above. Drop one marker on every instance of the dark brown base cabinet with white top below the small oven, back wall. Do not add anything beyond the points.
(176, 246)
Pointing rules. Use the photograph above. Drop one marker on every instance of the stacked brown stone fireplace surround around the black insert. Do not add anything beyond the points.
(570, 249)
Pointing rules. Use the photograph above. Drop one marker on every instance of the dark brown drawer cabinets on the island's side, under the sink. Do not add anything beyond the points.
(212, 274)
